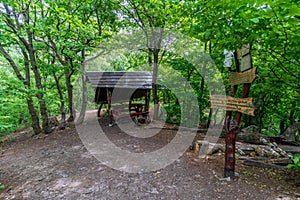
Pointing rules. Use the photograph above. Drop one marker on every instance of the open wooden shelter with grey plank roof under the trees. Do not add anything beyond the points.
(119, 87)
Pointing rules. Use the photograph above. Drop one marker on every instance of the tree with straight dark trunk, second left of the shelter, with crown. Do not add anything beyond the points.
(73, 28)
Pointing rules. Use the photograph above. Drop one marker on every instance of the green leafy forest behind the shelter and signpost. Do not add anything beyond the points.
(45, 45)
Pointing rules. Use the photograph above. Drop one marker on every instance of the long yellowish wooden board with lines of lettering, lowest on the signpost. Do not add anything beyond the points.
(243, 105)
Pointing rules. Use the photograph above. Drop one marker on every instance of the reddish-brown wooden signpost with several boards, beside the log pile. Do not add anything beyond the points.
(237, 105)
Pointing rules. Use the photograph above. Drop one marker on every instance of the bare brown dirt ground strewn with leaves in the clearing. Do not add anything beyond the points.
(58, 166)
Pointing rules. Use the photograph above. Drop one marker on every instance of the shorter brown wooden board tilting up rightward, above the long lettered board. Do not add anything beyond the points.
(243, 77)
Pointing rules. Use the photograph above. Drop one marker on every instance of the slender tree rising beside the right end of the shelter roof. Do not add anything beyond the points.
(153, 17)
